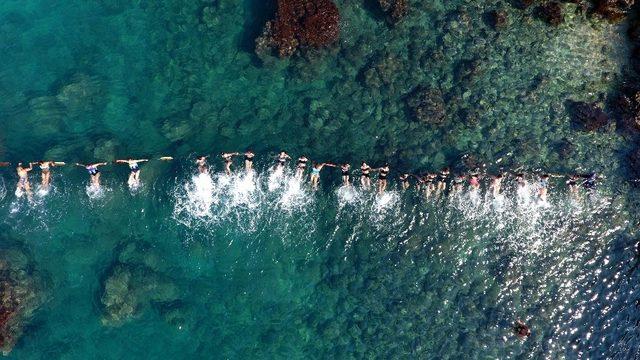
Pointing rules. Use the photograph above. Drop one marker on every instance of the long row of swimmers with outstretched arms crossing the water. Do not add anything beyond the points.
(430, 183)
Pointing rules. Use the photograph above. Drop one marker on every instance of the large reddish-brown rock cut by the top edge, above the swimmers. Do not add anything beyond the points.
(300, 24)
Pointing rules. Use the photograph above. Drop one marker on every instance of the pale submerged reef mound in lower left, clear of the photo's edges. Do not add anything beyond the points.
(135, 282)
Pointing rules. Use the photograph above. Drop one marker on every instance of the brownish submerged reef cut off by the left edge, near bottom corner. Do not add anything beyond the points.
(21, 294)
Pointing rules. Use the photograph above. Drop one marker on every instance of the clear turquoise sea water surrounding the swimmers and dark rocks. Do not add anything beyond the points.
(261, 267)
